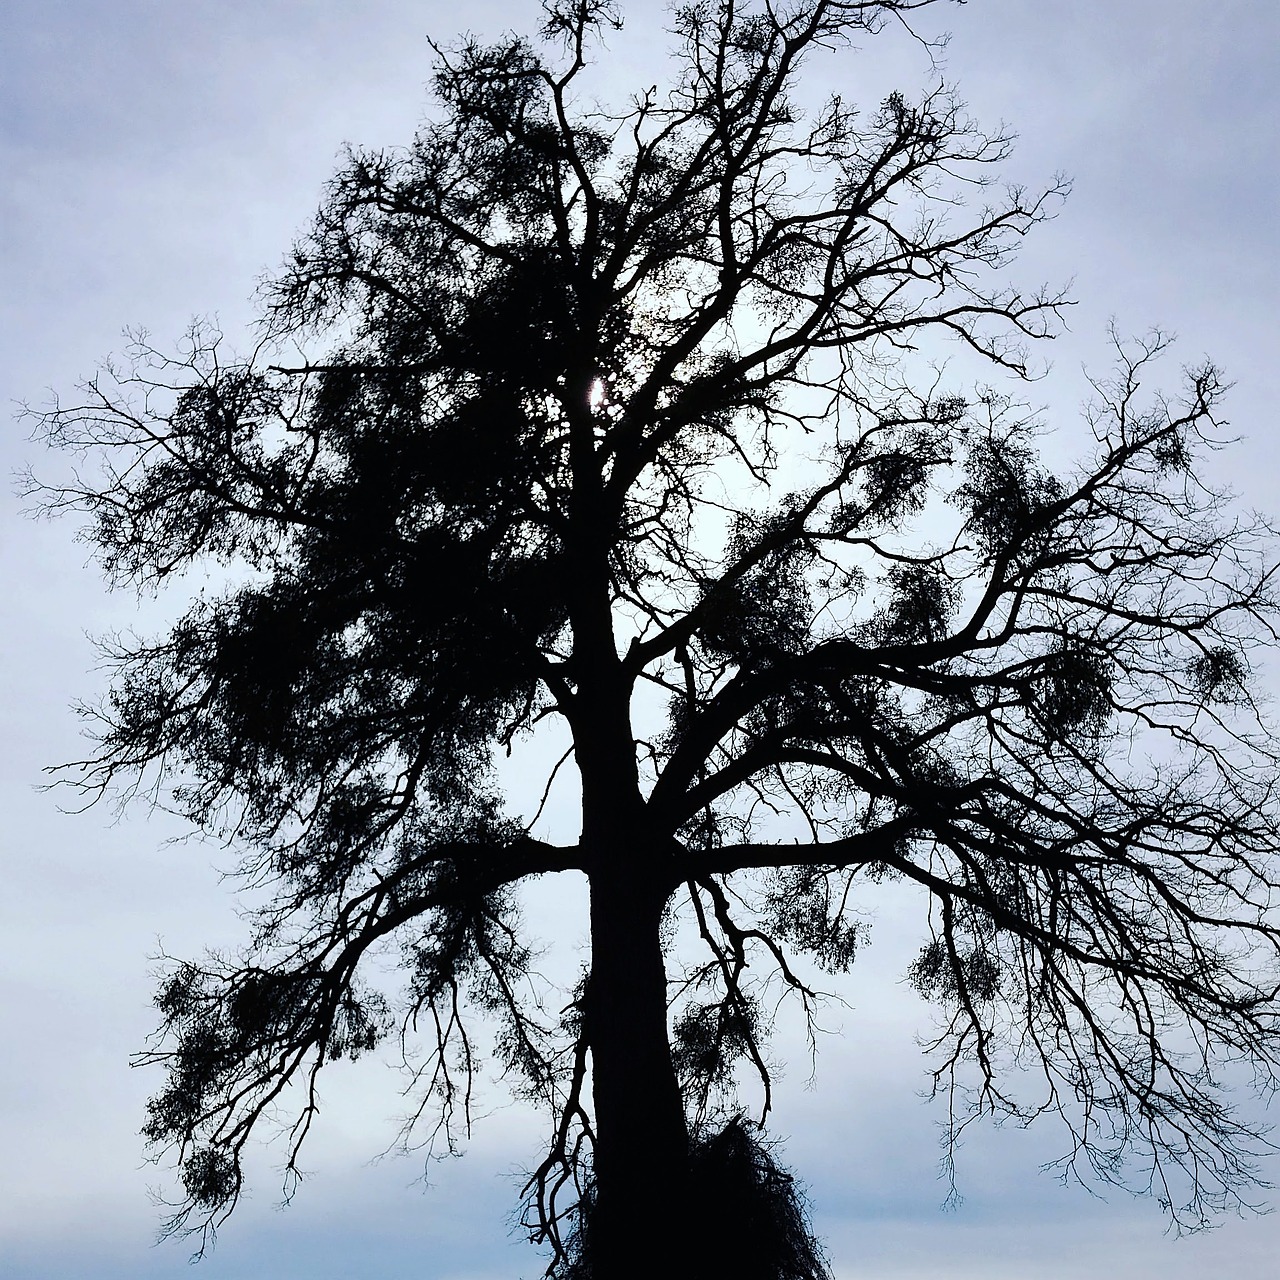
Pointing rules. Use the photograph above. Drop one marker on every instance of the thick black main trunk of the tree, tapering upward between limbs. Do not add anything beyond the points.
(641, 1159)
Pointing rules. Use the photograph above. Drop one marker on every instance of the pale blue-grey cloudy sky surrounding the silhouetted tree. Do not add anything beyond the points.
(157, 159)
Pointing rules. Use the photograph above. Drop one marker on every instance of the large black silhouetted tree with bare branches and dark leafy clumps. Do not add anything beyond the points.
(611, 427)
